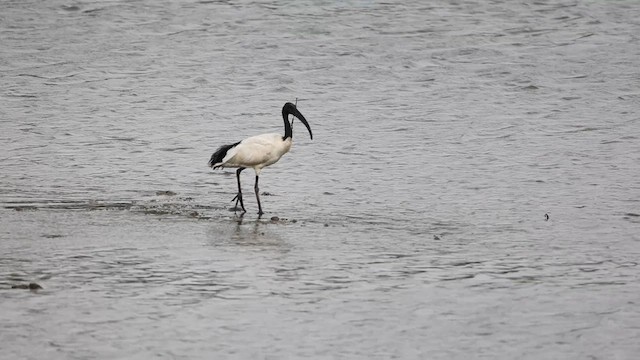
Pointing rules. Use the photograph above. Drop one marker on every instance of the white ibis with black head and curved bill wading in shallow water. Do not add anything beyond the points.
(258, 152)
